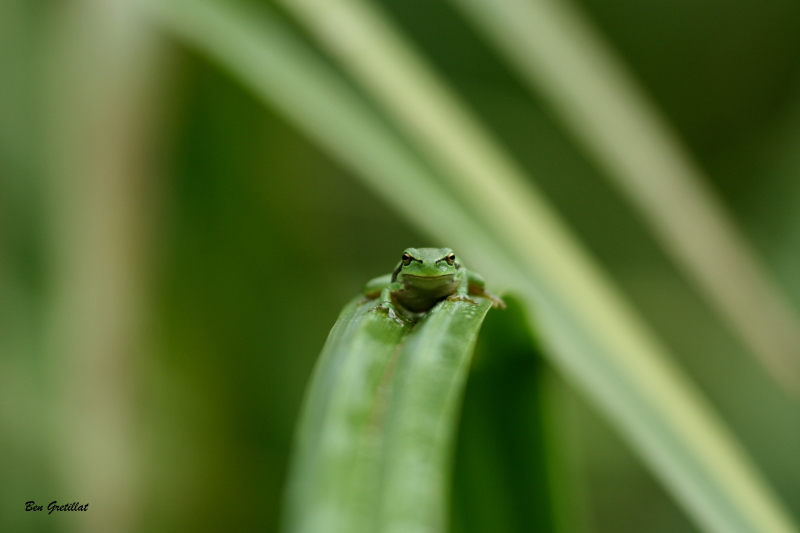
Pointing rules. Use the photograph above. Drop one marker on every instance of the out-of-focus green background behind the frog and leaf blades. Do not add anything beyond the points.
(173, 254)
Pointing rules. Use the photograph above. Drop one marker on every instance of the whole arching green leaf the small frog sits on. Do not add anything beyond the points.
(378, 417)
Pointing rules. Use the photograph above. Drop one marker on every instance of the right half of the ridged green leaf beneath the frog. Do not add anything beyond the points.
(422, 416)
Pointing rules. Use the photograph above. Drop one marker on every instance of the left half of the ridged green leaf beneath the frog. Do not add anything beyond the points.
(335, 463)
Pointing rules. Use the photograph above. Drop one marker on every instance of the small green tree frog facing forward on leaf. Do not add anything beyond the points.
(424, 277)
